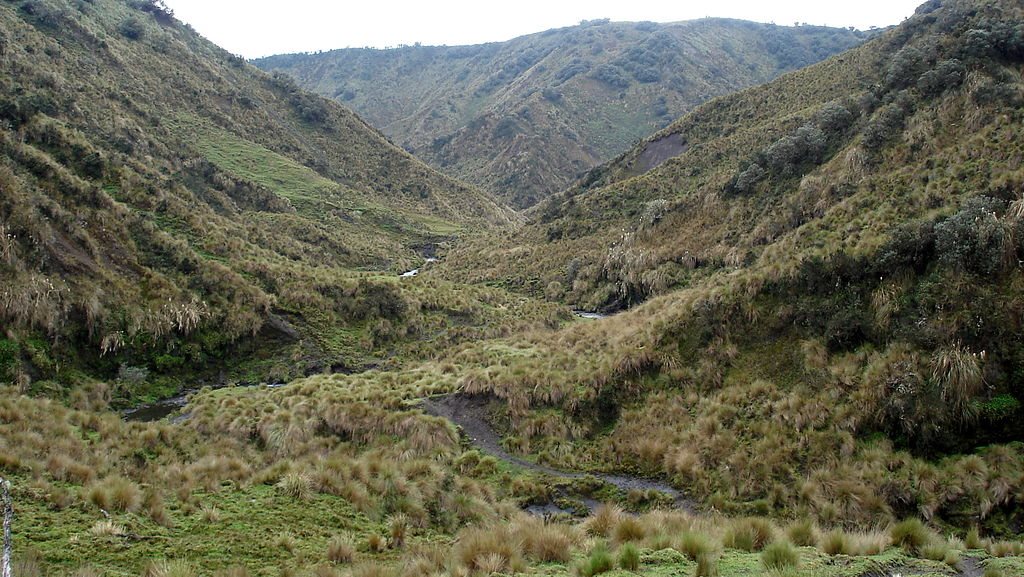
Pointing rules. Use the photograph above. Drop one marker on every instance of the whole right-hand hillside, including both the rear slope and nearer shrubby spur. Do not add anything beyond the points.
(830, 268)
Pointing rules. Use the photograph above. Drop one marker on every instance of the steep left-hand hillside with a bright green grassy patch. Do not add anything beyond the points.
(163, 198)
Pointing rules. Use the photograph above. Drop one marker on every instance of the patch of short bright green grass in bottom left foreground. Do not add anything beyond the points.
(250, 521)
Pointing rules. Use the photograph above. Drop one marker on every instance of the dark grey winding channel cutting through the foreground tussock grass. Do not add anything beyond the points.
(471, 415)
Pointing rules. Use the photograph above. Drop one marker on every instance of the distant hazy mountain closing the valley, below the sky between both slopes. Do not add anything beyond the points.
(525, 118)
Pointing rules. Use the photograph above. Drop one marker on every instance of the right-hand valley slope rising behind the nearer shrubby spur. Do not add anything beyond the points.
(808, 162)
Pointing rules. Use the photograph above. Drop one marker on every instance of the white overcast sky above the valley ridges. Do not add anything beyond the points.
(260, 28)
